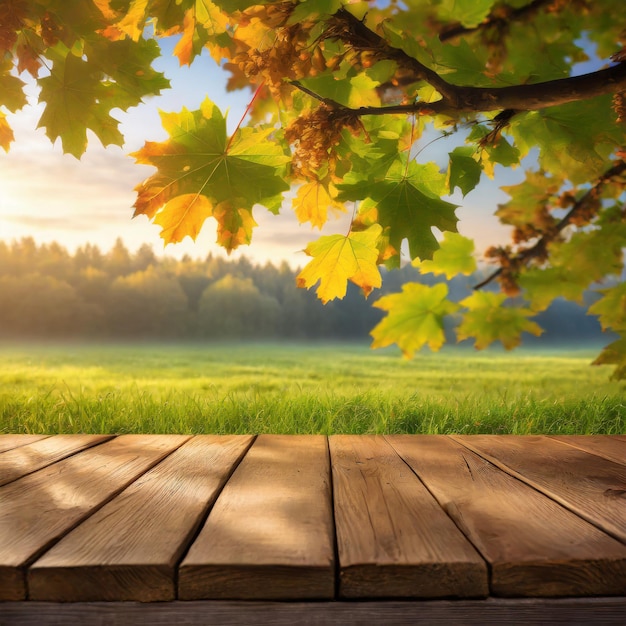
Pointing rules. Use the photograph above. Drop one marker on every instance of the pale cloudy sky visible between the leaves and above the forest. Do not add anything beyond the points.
(50, 196)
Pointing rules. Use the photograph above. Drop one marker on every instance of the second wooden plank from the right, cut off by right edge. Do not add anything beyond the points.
(592, 487)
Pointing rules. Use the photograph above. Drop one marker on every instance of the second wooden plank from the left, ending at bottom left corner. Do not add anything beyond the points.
(35, 511)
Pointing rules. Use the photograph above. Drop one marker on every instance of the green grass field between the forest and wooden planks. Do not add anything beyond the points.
(302, 388)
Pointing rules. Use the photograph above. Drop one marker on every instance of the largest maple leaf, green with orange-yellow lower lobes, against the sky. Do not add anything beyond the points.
(201, 173)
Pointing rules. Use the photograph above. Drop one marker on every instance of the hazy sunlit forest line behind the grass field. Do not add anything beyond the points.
(46, 292)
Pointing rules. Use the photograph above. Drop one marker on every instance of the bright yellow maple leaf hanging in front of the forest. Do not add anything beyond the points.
(337, 259)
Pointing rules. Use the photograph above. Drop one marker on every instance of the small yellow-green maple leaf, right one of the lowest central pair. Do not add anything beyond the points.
(488, 320)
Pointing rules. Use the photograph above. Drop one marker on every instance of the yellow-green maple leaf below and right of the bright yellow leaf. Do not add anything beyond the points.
(414, 318)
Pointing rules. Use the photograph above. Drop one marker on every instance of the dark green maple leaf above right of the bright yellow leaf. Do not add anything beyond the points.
(408, 204)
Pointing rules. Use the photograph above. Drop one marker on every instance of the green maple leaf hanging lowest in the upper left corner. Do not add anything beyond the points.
(75, 101)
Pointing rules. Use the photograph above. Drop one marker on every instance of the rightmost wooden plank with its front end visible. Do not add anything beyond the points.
(534, 546)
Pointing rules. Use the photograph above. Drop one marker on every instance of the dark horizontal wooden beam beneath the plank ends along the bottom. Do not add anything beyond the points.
(496, 611)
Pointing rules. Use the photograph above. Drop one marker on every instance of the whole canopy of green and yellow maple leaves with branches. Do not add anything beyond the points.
(343, 97)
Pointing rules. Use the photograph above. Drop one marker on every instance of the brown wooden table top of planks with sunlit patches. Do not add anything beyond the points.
(146, 518)
